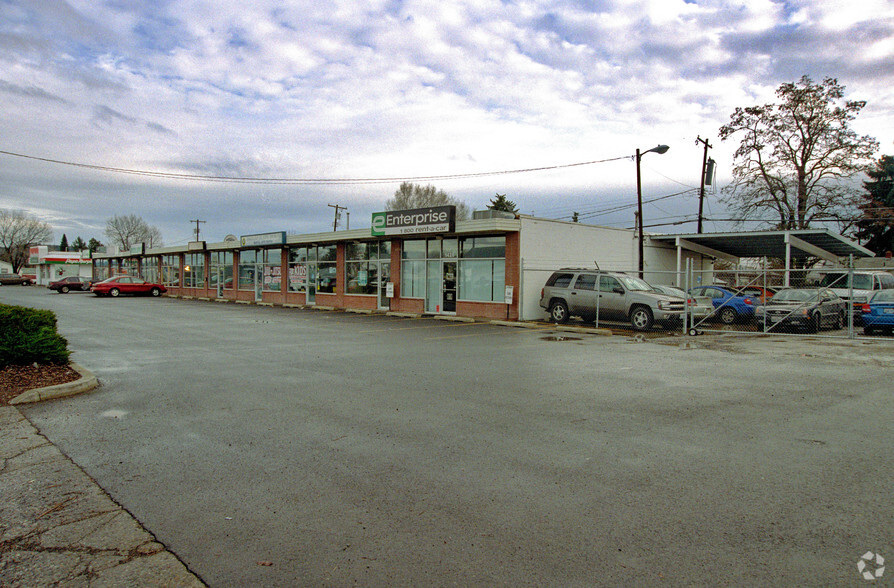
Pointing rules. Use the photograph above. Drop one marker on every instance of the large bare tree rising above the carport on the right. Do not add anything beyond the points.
(797, 160)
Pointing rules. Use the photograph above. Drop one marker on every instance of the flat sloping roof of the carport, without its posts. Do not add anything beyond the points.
(771, 243)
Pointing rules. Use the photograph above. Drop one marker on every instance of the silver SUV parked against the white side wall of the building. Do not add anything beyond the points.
(573, 292)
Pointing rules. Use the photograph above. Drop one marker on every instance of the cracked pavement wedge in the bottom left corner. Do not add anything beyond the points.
(58, 527)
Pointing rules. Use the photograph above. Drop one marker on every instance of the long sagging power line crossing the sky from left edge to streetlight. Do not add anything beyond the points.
(292, 181)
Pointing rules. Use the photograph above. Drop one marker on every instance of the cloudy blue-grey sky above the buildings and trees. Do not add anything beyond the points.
(386, 89)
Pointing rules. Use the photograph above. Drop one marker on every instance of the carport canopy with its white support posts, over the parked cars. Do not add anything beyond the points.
(787, 245)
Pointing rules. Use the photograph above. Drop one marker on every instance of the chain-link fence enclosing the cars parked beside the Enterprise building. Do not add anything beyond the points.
(836, 302)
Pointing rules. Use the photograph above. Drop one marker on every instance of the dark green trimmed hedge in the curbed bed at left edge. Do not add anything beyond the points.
(28, 335)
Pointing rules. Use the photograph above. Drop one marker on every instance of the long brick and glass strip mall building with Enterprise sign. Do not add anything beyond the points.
(419, 261)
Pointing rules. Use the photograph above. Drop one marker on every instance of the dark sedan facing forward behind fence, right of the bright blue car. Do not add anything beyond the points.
(810, 308)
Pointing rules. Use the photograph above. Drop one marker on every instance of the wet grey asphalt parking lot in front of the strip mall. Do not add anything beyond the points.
(274, 446)
